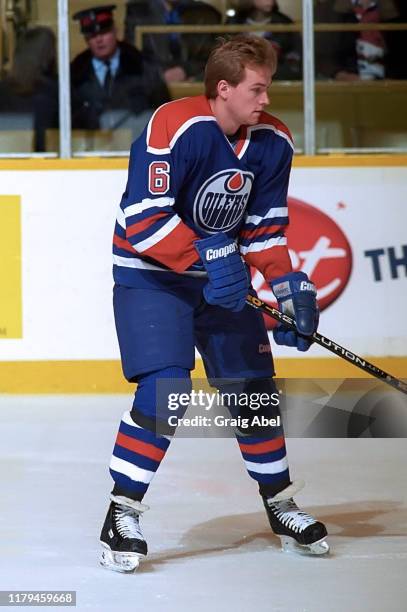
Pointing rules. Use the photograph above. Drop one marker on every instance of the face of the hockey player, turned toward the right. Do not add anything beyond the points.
(247, 100)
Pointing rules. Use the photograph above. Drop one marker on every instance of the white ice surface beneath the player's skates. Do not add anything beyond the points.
(209, 540)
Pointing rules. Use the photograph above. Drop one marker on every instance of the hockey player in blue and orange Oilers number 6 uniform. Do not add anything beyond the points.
(206, 197)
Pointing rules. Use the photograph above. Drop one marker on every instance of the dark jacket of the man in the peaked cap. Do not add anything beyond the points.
(137, 87)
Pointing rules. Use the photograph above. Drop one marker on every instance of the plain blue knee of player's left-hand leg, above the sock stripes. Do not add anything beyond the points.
(156, 398)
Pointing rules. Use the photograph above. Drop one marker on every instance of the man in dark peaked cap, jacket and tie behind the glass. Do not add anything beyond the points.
(113, 84)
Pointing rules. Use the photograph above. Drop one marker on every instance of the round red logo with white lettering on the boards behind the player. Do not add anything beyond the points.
(318, 247)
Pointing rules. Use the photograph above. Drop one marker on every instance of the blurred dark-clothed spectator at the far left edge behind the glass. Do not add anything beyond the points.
(29, 93)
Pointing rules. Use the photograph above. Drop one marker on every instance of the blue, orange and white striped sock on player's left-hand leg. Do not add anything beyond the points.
(136, 457)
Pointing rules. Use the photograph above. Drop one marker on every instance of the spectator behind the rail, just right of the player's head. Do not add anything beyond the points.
(287, 44)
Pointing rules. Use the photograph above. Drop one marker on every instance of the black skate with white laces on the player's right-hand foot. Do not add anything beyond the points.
(298, 531)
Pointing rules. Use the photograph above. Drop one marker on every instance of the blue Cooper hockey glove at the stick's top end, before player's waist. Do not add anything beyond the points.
(228, 283)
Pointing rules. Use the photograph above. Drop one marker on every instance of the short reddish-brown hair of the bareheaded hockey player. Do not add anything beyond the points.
(229, 58)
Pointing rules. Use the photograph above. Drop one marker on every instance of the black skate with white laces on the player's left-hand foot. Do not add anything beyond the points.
(121, 538)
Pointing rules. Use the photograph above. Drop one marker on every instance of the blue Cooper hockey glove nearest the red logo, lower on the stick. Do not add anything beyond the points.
(296, 296)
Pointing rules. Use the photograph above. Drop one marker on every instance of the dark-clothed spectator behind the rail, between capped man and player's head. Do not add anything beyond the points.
(181, 56)
